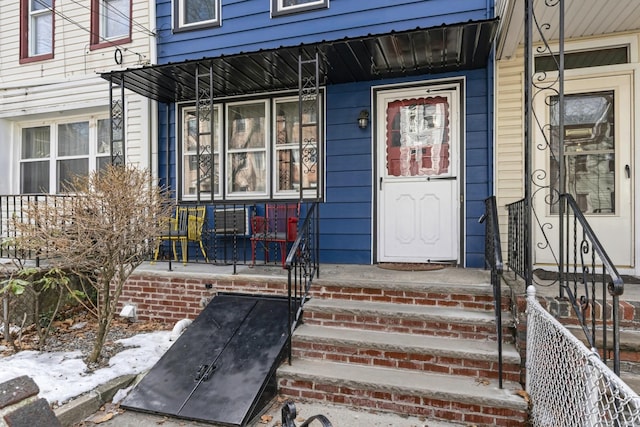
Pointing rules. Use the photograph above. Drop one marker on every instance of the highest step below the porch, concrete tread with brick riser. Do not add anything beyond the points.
(405, 318)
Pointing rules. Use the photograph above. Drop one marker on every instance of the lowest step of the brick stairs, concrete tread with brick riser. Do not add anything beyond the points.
(435, 396)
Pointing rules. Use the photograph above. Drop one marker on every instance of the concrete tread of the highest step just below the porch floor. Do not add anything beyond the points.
(426, 312)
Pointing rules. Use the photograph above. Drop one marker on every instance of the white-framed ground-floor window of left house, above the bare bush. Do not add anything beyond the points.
(52, 154)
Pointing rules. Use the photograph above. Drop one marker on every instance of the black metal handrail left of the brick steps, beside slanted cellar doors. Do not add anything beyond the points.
(303, 266)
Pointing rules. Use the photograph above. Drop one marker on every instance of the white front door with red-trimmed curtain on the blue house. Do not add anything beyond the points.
(417, 134)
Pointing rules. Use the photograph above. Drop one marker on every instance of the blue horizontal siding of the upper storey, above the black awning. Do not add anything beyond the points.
(248, 26)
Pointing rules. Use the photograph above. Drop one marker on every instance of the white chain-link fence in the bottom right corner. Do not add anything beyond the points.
(567, 383)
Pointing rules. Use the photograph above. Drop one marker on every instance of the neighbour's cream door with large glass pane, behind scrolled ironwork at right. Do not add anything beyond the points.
(598, 163)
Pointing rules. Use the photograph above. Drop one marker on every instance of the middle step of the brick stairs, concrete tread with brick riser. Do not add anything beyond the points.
(405, 351)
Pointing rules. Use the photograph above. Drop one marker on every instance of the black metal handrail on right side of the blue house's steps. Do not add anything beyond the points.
(493, 261)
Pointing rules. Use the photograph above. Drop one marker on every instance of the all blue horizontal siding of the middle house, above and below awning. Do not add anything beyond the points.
(346, 222)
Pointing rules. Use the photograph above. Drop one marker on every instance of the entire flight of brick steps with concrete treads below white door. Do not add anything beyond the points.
(418, 348)
